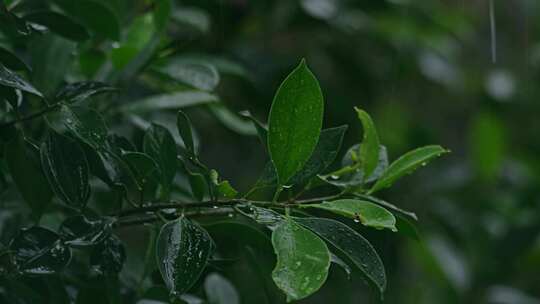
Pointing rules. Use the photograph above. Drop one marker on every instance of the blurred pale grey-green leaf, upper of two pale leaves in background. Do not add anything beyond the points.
(198, 75)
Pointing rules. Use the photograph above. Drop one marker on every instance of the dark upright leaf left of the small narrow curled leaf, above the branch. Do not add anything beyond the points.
(159, 144)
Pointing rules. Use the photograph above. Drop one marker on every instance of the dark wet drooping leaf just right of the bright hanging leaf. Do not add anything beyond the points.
(352, 245)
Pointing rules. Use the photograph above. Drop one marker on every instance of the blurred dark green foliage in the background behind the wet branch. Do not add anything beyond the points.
(429, 71)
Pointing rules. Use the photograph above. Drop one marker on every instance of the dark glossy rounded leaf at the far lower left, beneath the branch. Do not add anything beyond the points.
(38, 251)
